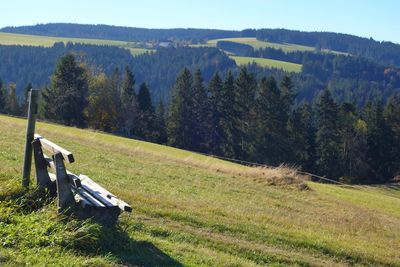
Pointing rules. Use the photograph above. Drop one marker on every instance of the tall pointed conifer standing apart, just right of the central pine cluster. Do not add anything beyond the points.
(327, 137)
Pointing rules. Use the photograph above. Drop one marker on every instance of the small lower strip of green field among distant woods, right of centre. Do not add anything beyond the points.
(268, 63)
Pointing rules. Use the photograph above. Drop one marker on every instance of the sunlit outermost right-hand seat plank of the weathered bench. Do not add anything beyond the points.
(94, 188)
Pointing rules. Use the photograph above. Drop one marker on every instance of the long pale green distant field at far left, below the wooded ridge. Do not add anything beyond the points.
(48, 41)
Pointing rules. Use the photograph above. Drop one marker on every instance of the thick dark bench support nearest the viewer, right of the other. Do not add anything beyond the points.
(65, 196)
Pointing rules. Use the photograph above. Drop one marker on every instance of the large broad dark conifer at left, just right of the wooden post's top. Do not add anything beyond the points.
(66, 98)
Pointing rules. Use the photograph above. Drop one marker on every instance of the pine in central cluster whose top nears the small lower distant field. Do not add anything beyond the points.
(245, 87)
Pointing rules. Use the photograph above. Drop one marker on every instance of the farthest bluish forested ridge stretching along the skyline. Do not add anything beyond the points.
(385, 52)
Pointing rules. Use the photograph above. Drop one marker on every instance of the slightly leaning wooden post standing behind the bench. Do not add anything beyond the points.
(30, 131)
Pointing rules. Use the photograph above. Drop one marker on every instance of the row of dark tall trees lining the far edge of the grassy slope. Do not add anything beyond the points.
(236, 116)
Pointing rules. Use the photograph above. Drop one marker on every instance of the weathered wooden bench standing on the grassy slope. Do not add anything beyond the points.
(72, 191)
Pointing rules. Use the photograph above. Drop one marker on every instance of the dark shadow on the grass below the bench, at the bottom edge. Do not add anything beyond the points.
(115, 241)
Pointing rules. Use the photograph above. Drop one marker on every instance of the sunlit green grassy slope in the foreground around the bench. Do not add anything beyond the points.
(191, 210)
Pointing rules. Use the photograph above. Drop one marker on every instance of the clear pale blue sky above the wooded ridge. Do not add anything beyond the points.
(379, 19)
